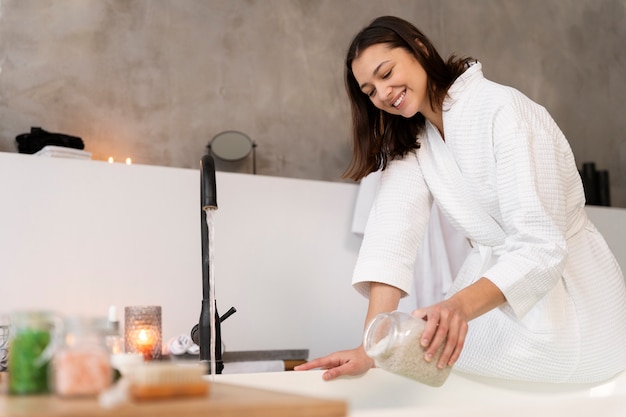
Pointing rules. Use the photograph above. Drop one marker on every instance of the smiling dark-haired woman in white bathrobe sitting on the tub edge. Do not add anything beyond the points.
(540, 296)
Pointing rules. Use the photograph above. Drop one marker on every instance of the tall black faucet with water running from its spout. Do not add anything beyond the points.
(201, 332)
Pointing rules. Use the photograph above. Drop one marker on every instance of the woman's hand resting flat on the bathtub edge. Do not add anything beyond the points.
(346, 362)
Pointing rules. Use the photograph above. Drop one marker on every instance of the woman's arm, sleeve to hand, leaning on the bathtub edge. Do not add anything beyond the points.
(393, 234)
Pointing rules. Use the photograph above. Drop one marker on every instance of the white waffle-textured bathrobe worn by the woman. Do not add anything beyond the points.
(506, 178)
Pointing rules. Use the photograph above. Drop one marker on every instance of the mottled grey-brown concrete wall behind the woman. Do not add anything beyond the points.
(157, 79)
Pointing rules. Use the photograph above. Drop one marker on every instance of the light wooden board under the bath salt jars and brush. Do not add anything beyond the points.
(223, 400)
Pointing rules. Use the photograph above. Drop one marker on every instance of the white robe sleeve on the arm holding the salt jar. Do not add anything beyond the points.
(531, 165)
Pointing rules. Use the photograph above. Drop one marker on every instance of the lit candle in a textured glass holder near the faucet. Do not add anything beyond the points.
(142, 331)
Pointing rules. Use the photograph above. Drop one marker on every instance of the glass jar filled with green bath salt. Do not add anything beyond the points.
(31, 335)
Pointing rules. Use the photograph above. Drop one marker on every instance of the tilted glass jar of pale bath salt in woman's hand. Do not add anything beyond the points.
(393, 341)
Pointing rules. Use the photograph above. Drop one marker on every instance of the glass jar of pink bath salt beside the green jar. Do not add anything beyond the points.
(81, 366)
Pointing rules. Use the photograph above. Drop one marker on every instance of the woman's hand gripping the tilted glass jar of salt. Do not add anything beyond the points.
(445, 323)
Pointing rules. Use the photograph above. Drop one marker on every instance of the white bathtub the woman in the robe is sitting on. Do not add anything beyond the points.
(381, 394)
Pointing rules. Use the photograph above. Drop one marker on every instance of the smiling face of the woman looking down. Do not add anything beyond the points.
(393, 79)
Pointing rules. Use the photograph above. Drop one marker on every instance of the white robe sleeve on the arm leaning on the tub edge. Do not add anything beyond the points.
(395, 228)
